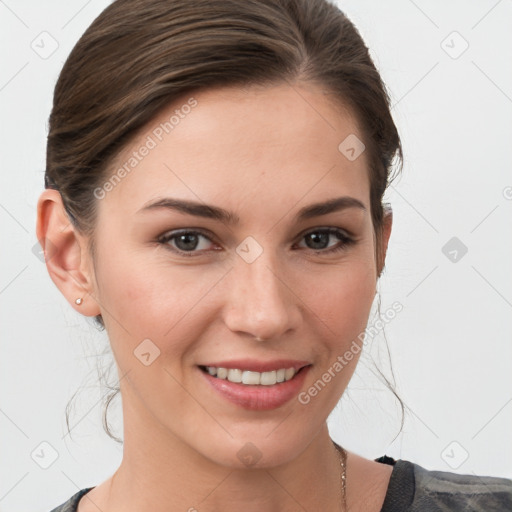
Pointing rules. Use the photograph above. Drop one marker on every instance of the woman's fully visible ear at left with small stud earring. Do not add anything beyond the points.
(67, 259)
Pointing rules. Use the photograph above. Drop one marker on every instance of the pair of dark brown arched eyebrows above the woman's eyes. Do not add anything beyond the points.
(217, 213)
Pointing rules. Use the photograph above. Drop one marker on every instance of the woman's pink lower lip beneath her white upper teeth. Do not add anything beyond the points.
(258, 398)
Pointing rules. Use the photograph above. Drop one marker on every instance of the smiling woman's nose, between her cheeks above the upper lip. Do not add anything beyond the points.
(261, 302)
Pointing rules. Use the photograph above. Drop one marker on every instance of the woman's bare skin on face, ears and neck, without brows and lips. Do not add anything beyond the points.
(262, 153)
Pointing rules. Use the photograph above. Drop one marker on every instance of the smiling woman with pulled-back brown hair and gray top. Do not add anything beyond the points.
(214, 184)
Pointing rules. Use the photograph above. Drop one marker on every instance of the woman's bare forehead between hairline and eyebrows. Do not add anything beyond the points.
(275, 144)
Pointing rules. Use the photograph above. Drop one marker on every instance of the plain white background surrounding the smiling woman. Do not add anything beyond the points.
(450, 346)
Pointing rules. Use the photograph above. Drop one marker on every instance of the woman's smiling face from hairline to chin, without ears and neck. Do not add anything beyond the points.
(182, 287)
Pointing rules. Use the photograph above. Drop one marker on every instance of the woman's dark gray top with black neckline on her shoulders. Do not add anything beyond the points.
(413, 488)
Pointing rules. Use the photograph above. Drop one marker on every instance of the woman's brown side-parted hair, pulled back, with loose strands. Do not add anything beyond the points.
(139, 56)
